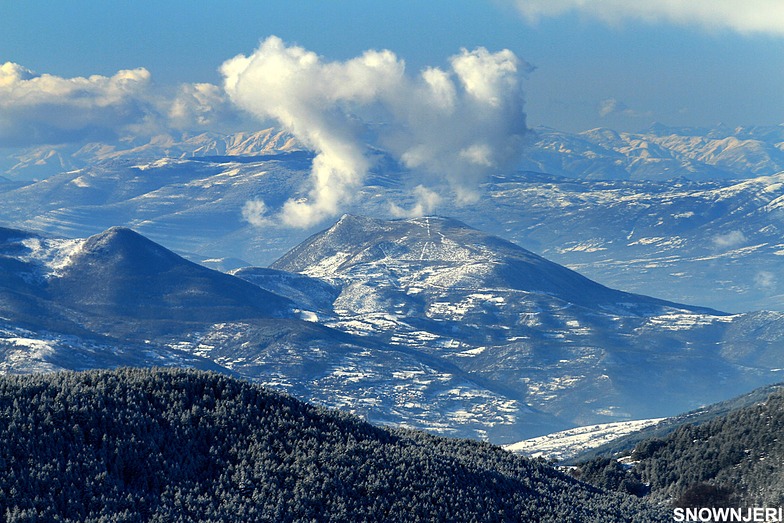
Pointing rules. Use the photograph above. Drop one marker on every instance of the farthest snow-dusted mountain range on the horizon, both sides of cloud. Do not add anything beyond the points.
(657, 153)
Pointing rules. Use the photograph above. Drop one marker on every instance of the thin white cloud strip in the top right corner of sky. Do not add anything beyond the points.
(749, 16)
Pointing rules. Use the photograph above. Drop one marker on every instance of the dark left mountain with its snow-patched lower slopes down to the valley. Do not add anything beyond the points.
(119, 299)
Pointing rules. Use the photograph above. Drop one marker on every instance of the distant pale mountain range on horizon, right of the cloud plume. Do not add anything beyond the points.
(659, 153)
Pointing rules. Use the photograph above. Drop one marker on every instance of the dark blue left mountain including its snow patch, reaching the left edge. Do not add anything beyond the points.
(119, 284)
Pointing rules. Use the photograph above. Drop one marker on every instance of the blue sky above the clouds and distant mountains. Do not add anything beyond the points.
(592, 66)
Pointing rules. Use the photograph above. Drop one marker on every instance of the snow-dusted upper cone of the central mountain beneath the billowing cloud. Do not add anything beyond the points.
(441, 252)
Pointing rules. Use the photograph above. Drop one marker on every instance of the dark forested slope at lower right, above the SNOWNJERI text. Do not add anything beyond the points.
(732, 460)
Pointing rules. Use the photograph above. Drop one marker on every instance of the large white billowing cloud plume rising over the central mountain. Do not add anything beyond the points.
(452, 126)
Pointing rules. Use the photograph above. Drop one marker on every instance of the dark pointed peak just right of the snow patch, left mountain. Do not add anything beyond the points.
(121, 273)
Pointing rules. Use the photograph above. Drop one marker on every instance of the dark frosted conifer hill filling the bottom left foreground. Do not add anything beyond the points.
(176, 445)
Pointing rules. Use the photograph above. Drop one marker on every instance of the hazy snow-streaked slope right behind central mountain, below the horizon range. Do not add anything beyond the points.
(714, 243)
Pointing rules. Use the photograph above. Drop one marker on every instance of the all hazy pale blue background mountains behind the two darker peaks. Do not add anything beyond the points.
(710, 238)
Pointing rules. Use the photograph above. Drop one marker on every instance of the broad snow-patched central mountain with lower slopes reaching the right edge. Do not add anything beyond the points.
(565, 344)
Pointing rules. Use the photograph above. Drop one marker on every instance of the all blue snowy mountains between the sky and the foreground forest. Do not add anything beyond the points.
(422, 322)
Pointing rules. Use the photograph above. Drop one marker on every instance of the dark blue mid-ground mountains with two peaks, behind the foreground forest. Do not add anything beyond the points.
(425, 323)
